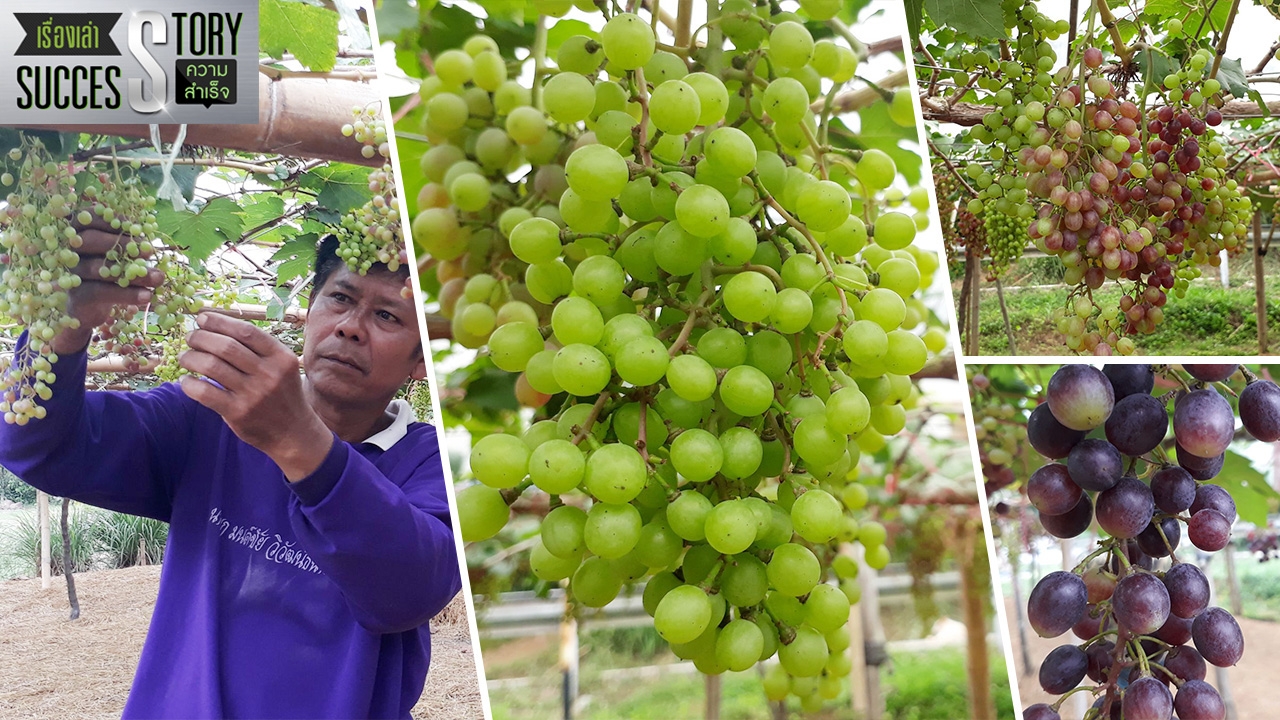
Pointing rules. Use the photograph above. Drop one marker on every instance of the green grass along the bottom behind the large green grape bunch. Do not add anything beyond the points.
(920, 687)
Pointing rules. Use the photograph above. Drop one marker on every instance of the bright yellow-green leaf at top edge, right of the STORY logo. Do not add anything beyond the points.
(309, 33)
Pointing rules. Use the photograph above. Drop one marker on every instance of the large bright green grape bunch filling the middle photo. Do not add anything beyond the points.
(715, 320)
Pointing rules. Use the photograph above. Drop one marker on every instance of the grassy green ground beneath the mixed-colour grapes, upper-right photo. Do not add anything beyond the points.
(1210, 321)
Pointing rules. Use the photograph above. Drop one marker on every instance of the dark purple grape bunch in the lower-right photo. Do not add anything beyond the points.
(1132, 601)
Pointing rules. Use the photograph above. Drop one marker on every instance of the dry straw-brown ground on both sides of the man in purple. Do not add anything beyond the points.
(54, 668)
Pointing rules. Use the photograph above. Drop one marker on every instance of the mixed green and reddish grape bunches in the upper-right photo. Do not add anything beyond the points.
(1124, 186)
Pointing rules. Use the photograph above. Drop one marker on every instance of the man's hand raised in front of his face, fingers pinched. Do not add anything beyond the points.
(260, 398)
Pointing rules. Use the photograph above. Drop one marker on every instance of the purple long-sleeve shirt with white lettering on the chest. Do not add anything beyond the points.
(277, 600)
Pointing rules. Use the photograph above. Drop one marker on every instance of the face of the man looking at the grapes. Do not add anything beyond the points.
(362, 340)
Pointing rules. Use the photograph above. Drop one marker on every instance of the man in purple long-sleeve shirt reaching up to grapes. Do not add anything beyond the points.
(310, 537)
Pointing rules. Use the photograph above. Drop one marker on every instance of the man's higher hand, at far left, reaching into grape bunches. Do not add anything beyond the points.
(94, 300)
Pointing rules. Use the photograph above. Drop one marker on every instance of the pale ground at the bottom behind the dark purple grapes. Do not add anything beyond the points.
(1252, 682)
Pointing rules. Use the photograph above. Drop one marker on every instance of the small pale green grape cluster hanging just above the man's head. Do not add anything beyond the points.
(372, 234)
